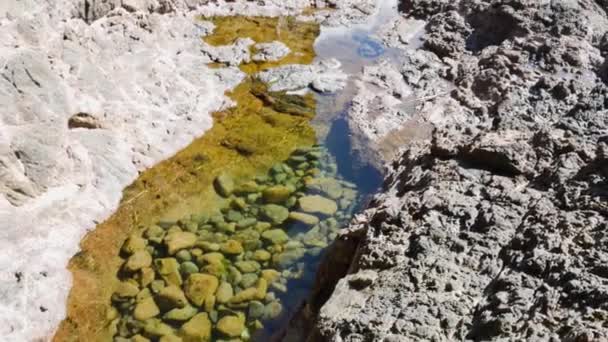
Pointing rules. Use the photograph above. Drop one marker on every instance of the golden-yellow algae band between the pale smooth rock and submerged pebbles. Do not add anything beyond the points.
(244, 141)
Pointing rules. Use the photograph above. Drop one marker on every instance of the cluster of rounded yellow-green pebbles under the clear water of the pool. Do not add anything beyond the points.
(221, 276)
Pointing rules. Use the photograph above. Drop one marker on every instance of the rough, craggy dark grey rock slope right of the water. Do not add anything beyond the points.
(496, 227)
